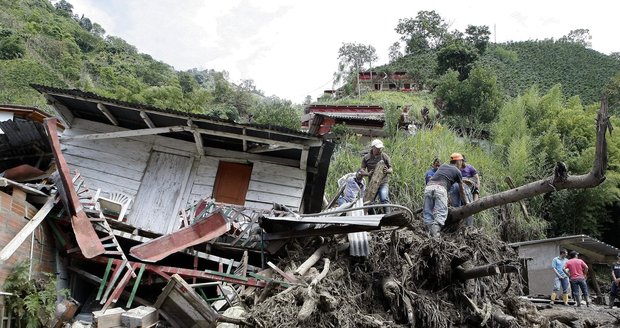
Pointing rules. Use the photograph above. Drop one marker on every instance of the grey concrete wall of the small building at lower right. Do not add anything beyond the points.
(540, 274)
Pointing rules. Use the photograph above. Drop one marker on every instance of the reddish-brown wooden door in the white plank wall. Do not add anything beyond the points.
(231, 182)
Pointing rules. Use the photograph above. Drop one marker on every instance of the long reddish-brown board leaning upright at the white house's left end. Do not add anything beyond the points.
(85, 234)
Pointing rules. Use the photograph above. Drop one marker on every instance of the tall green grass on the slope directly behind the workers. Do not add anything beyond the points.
(412, 156)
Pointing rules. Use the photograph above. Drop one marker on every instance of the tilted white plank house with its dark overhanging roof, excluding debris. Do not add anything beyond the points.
(166, 160)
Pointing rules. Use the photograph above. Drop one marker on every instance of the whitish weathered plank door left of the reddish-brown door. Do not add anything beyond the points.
(157, 202)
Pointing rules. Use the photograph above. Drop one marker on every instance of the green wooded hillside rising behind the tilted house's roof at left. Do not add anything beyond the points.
(48, 44)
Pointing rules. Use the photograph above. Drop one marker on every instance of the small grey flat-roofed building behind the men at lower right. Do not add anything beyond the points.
(540, 253)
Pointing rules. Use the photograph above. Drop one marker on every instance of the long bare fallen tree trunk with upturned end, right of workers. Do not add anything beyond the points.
(553, 183)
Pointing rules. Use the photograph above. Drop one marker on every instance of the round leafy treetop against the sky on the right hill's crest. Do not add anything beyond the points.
(426, 31)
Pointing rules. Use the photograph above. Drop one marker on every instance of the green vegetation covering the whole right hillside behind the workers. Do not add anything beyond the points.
(514, 109)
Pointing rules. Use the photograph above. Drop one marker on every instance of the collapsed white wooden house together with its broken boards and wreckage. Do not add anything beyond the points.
(137, 197)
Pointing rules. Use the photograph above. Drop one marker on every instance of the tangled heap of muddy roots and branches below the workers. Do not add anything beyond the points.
(409, 280)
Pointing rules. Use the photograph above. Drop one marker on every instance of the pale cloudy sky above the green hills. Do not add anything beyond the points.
(290, 48)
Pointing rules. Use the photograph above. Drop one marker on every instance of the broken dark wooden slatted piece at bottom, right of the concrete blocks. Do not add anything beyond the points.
(183, 306)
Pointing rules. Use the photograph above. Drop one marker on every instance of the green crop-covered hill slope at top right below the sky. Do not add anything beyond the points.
(580, 71)
